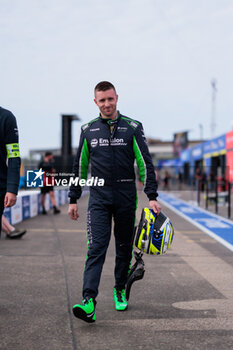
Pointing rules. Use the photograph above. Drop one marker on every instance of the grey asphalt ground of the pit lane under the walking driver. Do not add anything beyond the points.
(185, 300)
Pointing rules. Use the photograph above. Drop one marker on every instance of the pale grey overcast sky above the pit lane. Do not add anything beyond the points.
(160, 54)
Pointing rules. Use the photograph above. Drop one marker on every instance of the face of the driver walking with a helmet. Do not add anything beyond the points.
(107, 103)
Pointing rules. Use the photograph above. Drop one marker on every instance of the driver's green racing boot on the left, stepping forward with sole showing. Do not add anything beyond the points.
(86, 311)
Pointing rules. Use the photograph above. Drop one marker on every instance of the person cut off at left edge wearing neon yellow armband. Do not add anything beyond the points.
(9, 160)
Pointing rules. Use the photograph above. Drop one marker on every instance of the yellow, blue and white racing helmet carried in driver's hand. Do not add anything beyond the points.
(155, 233)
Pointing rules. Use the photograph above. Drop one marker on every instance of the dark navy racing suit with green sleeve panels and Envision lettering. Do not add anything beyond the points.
(111, 147)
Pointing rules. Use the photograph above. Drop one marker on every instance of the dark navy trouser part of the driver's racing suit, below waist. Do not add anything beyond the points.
(117, 203)
